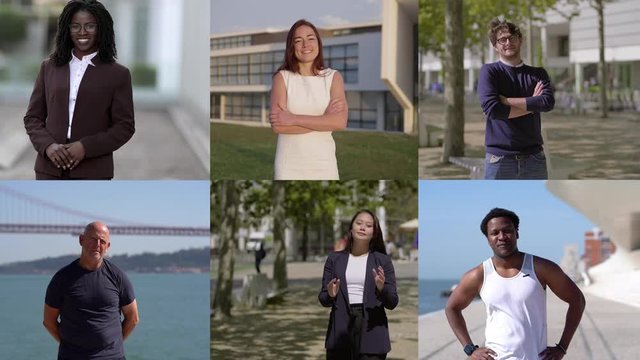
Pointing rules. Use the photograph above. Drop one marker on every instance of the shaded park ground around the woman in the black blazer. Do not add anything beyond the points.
(296, 328)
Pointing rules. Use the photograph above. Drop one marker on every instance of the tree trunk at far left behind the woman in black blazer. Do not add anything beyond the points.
(224, 283)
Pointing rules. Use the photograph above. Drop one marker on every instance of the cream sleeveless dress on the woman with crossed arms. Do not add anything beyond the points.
(310, 156)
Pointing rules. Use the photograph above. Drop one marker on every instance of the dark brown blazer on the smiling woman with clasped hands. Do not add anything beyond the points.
(103, 117)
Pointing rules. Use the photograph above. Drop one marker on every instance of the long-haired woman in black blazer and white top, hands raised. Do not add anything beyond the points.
(358, 284)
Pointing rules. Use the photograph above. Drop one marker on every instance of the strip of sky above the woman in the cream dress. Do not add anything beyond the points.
(244, 15)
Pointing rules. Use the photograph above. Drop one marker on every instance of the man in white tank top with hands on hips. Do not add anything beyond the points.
(513, 286)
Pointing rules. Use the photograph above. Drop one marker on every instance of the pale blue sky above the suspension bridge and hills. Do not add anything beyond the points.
(178, 203)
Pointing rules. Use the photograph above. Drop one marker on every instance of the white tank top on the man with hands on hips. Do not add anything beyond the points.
(516, 312)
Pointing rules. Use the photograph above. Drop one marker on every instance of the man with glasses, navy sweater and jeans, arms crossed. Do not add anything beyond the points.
(512, 96)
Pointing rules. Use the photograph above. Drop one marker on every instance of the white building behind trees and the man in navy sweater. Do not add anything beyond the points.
(568, 49)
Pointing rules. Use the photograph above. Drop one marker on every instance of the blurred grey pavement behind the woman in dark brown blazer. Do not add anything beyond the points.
(158, 149)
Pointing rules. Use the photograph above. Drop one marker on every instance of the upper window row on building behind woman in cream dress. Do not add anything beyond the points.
(258, 69)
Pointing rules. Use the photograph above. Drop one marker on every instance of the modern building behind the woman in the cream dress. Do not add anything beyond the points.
(376, 60)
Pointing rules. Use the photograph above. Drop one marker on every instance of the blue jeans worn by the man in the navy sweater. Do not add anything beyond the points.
(515, 167)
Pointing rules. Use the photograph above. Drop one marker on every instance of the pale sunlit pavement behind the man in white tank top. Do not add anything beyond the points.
(608, 331)
